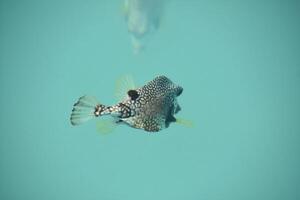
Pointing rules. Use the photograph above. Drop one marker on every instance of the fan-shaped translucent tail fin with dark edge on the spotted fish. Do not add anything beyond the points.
(84, 110)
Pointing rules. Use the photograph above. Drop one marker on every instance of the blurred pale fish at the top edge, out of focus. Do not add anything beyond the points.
(143, 17)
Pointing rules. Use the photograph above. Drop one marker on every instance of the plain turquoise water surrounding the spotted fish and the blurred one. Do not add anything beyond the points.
(239, 65)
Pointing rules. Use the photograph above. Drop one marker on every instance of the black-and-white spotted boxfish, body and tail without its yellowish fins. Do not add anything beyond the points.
(151, 107)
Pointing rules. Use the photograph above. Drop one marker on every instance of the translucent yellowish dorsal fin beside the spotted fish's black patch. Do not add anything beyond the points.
(123, 85)
